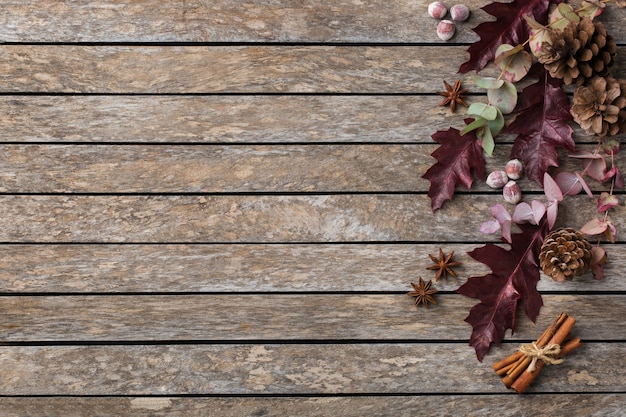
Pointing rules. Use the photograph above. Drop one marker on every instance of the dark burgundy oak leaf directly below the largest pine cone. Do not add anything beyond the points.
(542, 125)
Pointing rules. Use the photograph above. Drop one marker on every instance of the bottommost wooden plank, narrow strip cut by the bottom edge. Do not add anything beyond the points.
(556, 405)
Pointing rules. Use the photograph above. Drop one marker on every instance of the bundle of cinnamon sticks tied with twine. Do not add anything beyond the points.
(522, 367)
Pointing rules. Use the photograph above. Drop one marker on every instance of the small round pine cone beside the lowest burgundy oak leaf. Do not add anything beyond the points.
(565, 253)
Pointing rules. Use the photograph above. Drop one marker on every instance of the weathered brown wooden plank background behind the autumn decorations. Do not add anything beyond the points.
(216, 208)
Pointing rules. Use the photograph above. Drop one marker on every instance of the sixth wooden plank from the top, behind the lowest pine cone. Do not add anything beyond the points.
(300, 268)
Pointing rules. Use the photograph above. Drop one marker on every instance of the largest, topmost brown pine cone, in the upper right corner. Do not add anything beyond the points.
(578, 52)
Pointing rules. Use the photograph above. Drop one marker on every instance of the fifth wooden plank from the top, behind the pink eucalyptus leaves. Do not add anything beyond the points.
(257, 219)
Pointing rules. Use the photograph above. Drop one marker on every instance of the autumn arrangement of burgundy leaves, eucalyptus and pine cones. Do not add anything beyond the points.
(561, 56)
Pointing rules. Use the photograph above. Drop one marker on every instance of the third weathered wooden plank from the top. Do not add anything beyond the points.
(230, 119)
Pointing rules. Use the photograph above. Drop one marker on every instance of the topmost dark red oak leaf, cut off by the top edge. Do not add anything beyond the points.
(509, 27)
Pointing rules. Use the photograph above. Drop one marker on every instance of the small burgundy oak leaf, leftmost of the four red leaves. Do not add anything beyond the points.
(456, 158)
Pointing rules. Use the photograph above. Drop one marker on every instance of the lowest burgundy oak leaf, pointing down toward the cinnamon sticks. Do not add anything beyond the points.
(513, 280)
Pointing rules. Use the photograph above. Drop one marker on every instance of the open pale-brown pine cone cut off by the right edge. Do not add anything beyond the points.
(600, 107)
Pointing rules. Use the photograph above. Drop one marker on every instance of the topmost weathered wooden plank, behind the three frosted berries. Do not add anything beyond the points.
(237, 21)
